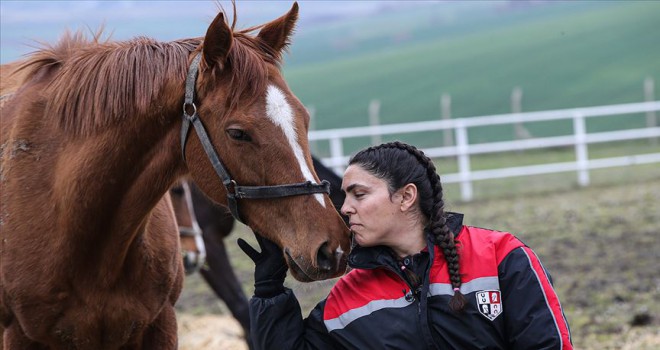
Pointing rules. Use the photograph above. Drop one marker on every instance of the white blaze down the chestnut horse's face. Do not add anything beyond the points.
(280, 112)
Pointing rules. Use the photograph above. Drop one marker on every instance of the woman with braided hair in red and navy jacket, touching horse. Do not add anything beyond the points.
(420, 279)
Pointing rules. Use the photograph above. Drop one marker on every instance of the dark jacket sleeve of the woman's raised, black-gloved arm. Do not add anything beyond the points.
(277, 323)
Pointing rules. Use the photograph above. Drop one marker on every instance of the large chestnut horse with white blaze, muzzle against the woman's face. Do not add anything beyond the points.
(92, 140)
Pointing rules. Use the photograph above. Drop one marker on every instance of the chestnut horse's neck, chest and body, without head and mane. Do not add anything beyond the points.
(89, 250)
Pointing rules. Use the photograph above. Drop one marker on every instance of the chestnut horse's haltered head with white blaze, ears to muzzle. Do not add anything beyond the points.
(258, 129)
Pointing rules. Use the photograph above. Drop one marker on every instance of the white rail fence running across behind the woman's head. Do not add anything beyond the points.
(463, 149)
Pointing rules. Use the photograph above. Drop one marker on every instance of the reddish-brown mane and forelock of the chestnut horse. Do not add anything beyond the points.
(100, 83)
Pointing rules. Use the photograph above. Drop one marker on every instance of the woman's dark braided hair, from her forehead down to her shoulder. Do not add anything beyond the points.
(439, 232)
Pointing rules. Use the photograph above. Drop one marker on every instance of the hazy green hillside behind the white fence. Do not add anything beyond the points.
(562, 54)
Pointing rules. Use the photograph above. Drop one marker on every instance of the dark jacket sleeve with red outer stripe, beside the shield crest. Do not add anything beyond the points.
(533, 315)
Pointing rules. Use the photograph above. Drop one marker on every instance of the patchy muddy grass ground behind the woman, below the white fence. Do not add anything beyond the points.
(601, 244)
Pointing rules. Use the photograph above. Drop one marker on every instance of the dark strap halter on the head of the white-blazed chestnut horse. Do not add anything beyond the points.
(234, 191)
